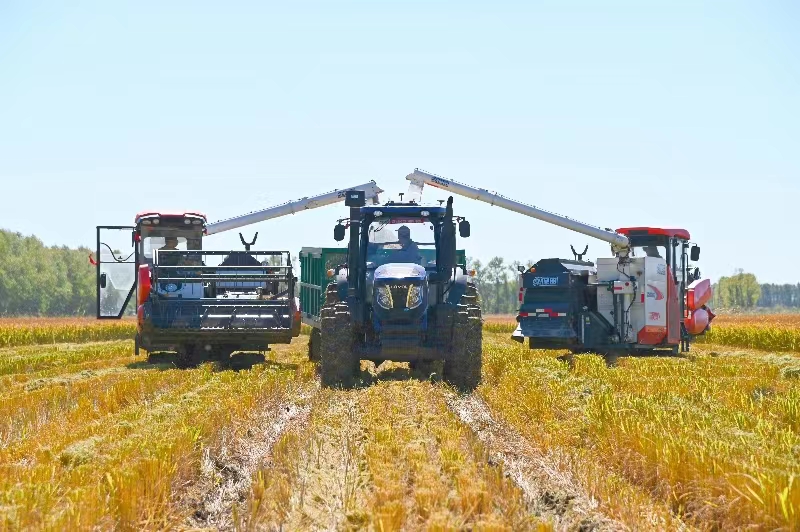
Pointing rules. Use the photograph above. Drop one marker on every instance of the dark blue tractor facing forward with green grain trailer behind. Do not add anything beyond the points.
(385, 299)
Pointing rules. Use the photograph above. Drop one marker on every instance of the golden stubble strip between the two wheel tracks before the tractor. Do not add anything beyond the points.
(388, 454)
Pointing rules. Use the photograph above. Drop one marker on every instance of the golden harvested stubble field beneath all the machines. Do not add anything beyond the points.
(92, 437)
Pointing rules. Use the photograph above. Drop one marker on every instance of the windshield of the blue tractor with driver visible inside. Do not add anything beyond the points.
(408, 240)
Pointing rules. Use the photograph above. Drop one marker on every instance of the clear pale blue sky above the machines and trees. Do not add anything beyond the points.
(679, 114)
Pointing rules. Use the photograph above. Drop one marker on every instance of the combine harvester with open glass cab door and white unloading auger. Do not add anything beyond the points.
(198, 302)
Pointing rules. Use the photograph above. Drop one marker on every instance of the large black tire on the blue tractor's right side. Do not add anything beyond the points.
(462, 368)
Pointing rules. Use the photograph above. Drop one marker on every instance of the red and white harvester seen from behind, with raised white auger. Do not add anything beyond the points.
(645, 298)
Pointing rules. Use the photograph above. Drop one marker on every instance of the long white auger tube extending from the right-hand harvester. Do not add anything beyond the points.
(619, 243)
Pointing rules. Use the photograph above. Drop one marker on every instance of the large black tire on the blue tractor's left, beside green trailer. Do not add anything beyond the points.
(338, 364)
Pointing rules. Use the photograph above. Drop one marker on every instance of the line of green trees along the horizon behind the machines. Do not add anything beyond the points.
(37, 280)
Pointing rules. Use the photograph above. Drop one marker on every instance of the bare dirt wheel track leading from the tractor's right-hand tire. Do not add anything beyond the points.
(549, 490)
